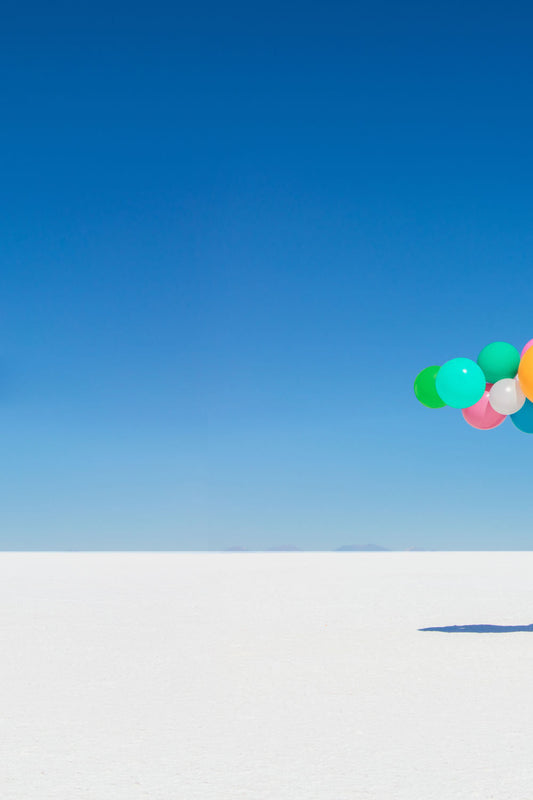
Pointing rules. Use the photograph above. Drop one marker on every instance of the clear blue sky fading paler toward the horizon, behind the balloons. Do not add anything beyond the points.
(231, 235)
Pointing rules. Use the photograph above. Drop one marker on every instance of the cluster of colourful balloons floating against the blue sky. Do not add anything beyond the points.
(497, 386)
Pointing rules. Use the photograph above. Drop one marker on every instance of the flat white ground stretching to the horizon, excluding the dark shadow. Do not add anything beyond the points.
(279, 676)
